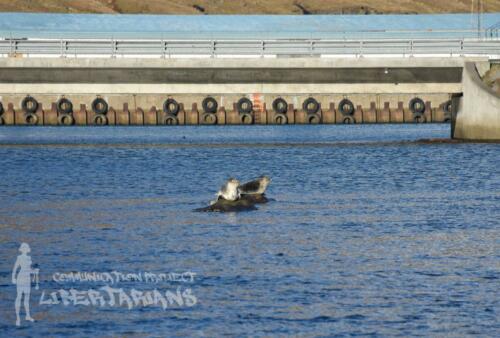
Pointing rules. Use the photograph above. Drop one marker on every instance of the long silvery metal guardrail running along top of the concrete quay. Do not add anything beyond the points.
(215, 48)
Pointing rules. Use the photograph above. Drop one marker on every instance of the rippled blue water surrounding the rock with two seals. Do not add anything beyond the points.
(370, 233)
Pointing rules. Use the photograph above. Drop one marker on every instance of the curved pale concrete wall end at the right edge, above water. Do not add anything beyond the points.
(478, 115)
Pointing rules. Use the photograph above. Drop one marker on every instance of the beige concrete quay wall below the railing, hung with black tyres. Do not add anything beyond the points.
(379, 89)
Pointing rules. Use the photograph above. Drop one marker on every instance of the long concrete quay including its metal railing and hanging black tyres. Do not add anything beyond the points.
(47, 81)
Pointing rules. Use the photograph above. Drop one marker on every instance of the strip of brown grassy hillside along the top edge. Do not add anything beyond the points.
(247, 6)
